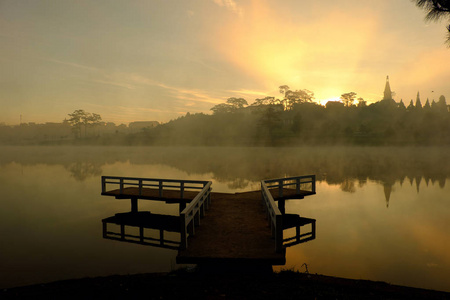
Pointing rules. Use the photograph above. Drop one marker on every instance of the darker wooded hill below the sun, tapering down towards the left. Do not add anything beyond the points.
(295, 119)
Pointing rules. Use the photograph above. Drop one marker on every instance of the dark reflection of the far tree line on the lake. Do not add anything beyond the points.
(239, 167)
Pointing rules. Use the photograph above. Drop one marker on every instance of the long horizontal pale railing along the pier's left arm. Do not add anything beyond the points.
(161, 184)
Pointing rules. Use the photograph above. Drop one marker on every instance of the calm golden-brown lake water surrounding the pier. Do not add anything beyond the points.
(382, 213)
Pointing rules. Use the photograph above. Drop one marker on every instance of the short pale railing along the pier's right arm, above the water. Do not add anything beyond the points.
(301, 184)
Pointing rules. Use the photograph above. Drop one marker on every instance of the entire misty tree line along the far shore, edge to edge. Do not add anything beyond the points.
(293, 119)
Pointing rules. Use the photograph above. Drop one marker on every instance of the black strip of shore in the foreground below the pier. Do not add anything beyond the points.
(201, 285)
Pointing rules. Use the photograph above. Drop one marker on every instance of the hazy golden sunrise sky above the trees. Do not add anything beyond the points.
(158, 60)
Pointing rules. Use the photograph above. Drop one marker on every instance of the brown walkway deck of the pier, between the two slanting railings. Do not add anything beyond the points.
(235, 229)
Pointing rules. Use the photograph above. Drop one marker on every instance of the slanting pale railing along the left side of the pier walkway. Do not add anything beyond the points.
(194, 211)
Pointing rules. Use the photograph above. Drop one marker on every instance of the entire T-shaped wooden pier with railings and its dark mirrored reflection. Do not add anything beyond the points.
(214, 227)
